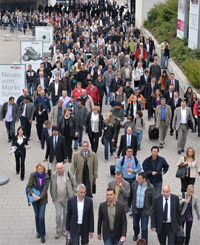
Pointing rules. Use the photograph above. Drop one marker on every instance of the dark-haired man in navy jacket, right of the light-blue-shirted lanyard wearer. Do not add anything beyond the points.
(155, 167)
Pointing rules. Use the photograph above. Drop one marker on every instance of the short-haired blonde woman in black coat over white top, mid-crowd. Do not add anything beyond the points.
(94, 126)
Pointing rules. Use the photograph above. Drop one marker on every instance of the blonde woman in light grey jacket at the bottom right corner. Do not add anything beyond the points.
(189, 205)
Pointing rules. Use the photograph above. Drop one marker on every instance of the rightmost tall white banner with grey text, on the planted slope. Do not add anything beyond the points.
(194, 25)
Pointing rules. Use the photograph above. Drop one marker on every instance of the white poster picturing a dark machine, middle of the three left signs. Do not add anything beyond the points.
(31, 52)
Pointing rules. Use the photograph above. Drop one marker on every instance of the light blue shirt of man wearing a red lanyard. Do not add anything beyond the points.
(123, 168)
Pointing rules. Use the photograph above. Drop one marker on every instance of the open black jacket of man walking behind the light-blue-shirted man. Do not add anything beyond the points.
(123, 145)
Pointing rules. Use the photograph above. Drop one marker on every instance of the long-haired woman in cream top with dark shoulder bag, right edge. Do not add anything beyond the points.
(192, 168)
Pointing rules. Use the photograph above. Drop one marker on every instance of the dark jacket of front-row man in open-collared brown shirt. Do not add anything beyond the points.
(120, 221)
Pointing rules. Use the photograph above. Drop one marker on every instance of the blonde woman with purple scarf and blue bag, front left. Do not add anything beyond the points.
(40, 180)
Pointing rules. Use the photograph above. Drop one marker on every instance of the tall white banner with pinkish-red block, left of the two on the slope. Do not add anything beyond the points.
(182, 18)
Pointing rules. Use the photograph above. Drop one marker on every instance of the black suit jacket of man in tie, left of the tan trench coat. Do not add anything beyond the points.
(60, 151)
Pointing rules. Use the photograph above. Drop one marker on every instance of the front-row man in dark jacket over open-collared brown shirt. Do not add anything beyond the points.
(114, 228)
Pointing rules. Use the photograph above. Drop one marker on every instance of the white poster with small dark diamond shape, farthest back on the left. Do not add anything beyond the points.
(44, 34)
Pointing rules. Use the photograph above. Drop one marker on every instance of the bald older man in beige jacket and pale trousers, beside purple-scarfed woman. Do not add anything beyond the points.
(62, 187)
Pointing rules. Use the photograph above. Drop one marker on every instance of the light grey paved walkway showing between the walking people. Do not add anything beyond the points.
(17, 218)
